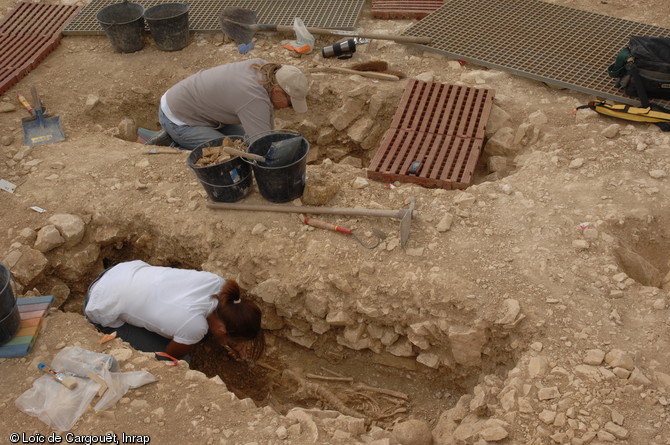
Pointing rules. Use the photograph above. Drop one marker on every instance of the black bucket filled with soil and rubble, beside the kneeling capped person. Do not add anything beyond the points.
(229, 181)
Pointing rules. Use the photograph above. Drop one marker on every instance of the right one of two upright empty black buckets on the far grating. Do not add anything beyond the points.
(168, 24)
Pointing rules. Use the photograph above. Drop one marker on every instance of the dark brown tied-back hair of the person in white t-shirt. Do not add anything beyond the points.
(241, 316)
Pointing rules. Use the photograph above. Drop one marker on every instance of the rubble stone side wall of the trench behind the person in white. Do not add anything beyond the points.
(450, 349)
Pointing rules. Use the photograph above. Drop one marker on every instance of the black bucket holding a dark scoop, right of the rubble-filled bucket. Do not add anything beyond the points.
(280, 184)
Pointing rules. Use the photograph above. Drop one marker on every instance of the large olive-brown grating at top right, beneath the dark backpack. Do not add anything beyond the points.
(534, 39)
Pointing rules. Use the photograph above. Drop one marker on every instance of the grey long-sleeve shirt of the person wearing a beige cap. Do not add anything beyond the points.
(226, 94)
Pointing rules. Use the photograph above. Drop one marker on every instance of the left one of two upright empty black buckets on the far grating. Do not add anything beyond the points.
(124, 25)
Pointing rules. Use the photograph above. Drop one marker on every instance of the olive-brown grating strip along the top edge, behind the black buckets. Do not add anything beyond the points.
(203, 15)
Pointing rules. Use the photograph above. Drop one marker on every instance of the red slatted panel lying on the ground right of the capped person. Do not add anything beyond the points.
(441, 127)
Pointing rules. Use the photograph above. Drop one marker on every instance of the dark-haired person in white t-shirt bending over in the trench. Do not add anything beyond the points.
(164, 309)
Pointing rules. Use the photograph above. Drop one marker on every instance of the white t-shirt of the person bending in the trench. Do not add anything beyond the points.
(171, 302)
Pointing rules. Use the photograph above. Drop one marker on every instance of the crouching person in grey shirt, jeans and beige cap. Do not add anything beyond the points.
(233, 99)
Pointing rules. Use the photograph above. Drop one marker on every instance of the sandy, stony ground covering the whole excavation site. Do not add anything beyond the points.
(528, 309)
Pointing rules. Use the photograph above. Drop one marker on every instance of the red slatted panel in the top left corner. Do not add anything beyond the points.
(27, 35)
